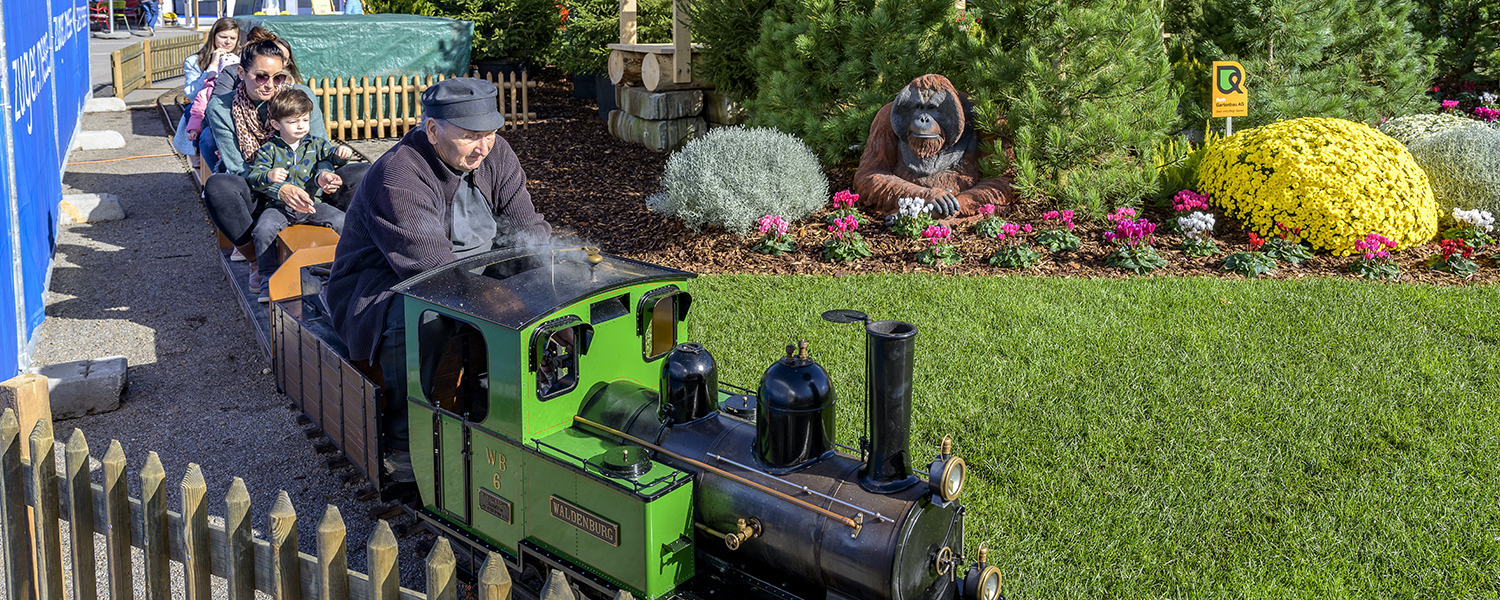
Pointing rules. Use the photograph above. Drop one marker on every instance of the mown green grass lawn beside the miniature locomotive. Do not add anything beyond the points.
(1180, 437)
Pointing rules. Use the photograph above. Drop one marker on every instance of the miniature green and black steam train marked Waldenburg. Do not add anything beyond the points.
(559, 421)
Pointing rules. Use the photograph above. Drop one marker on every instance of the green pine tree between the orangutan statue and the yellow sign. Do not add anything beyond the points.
(1087, 92)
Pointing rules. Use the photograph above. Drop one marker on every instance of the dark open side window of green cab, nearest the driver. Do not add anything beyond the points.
(455, 367)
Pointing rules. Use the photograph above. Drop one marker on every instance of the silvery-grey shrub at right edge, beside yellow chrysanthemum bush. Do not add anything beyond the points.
(1463, 166)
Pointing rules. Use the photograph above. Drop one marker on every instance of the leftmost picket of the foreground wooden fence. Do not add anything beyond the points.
(14, 535)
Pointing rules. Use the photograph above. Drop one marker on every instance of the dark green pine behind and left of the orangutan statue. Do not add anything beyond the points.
(824, 68)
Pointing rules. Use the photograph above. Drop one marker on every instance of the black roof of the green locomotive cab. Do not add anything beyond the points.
(515, 287)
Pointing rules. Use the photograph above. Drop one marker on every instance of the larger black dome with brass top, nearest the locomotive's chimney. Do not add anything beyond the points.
(794, 424)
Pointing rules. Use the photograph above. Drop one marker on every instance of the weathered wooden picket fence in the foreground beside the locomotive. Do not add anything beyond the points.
(34, 562)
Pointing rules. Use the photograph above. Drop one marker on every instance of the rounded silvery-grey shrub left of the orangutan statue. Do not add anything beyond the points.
(733, 176)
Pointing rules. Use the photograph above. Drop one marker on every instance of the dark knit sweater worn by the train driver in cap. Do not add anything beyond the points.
(397, 227)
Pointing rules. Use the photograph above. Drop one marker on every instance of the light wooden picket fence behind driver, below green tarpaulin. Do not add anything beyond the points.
(389, 107)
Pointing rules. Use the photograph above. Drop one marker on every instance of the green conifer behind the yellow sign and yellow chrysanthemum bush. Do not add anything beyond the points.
(1348, 59)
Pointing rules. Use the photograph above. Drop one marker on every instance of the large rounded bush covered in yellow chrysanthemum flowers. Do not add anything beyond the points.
(1337, 181)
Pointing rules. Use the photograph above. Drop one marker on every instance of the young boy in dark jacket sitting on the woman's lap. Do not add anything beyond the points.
(293, 170)
